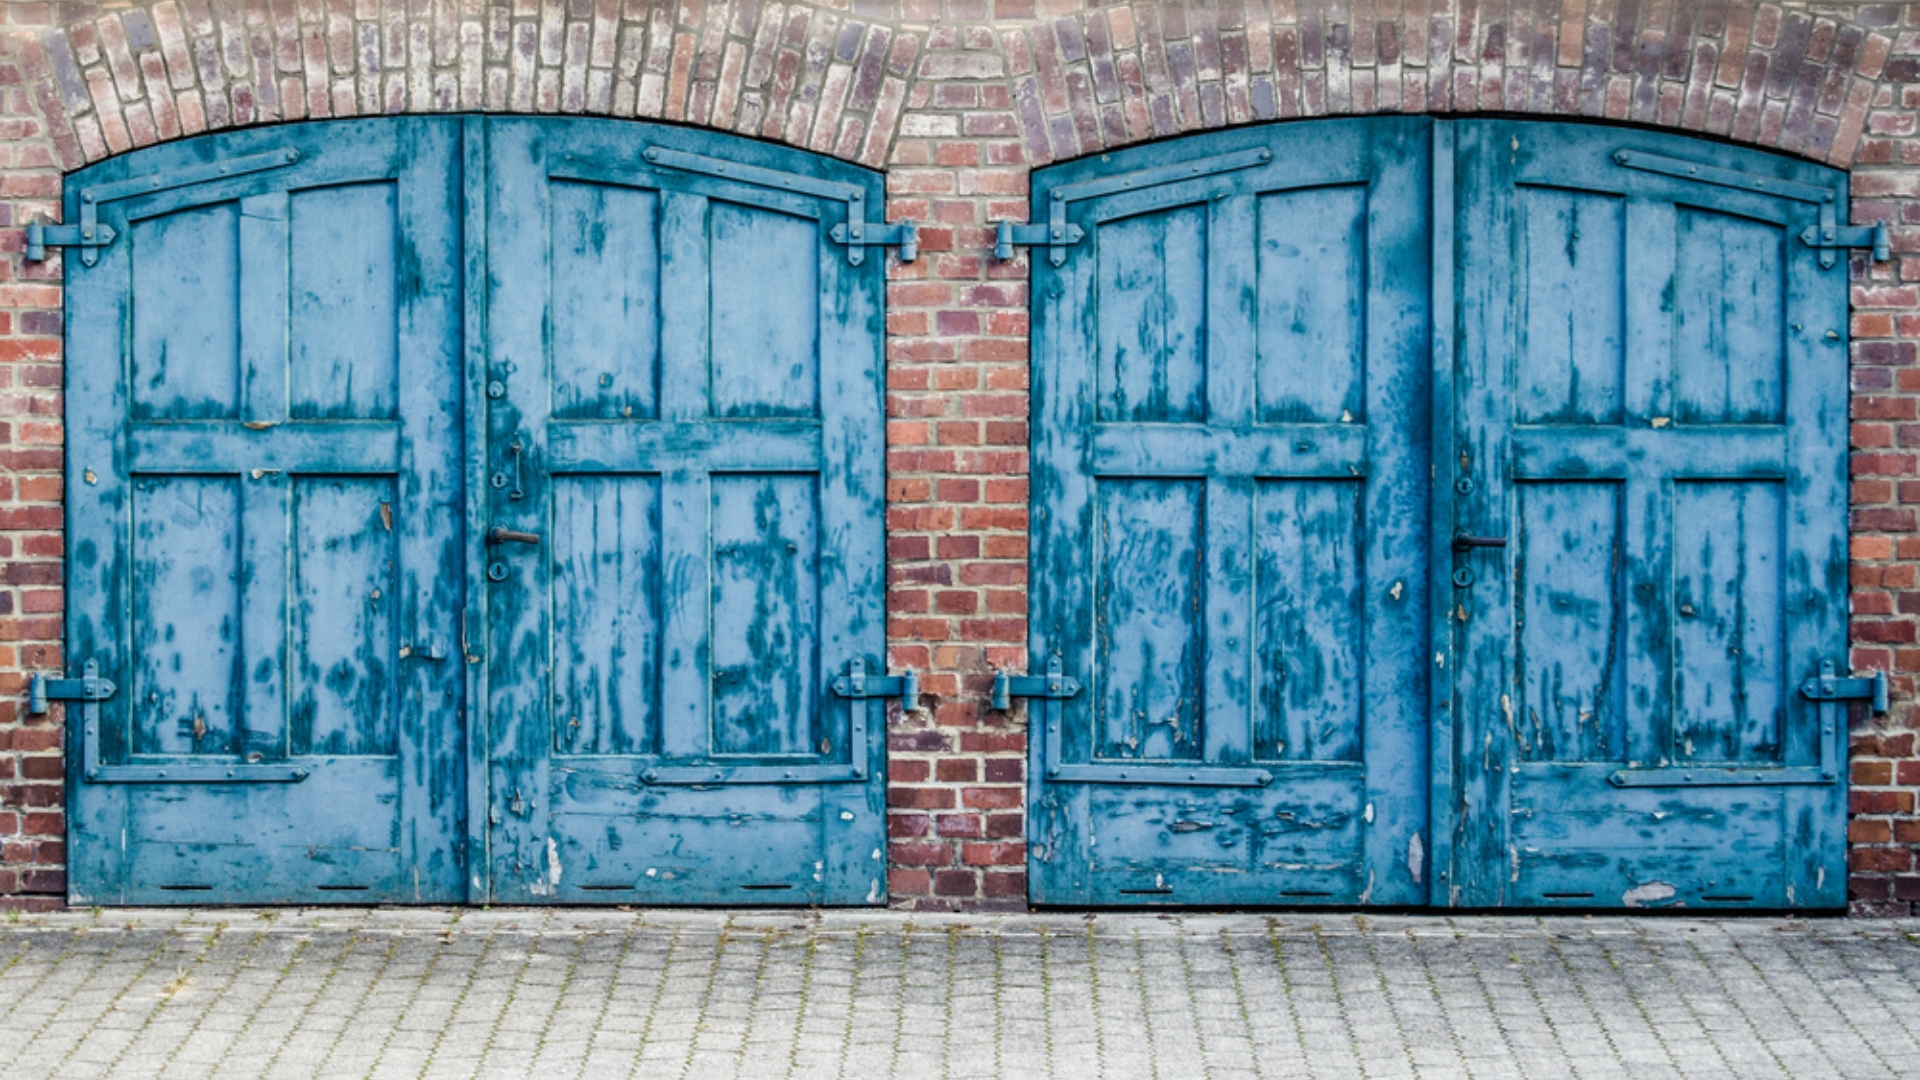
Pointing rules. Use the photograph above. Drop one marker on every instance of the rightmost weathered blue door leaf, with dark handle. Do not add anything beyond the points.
(1650, 412)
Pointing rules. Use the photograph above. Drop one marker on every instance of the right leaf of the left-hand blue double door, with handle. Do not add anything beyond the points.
(686, 456)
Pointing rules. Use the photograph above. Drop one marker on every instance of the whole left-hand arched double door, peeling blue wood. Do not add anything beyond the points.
(300, 406)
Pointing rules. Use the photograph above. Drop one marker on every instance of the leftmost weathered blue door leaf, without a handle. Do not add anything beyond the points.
(264, 501)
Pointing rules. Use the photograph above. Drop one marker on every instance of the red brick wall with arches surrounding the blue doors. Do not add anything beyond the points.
(957, 101)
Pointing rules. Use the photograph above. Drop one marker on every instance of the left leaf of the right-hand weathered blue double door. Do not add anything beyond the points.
(1232, 522)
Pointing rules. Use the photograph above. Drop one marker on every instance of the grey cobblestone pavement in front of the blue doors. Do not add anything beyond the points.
(708, 994)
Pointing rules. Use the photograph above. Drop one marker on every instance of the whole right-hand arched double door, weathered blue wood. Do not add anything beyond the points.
(1635, 456)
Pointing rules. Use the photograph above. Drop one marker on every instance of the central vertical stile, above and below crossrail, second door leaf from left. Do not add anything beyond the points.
(686, 524)
